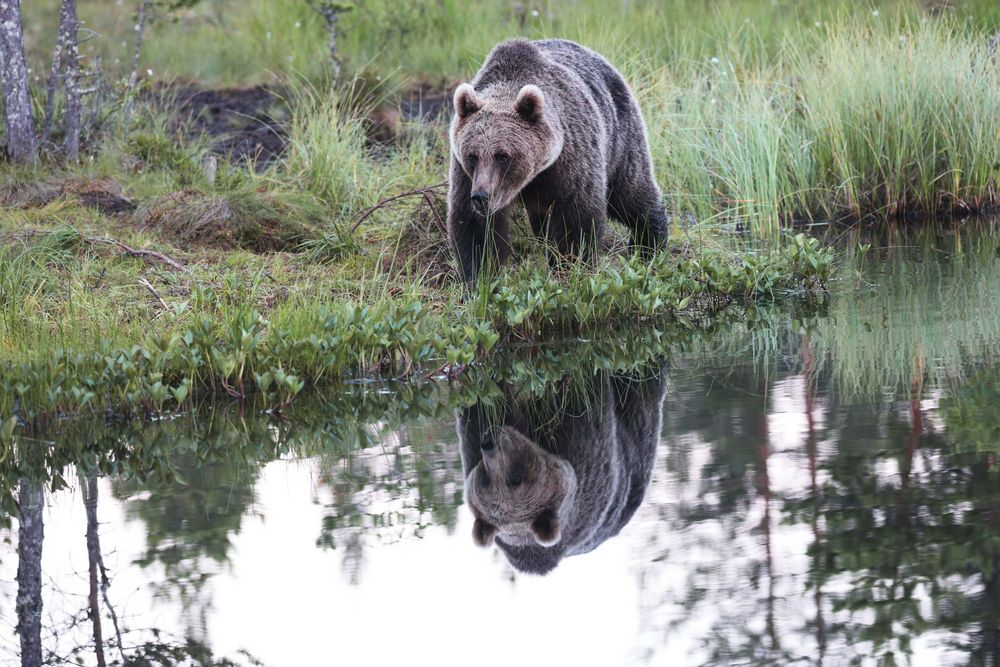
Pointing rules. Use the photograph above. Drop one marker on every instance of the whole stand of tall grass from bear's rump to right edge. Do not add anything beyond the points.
(868, 118)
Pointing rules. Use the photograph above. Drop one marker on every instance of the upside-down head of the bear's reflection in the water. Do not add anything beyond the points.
(519, 493)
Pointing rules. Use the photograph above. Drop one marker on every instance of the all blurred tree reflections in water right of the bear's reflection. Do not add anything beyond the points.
(865, 531)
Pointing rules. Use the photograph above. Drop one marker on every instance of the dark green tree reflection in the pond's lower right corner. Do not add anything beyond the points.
(919, 548)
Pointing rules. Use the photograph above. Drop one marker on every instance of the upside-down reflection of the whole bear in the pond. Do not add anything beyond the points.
(557, 476)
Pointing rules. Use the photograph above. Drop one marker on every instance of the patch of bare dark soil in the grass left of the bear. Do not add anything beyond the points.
(242, 123)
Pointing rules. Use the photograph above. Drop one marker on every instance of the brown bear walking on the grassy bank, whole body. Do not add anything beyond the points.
(554, 126)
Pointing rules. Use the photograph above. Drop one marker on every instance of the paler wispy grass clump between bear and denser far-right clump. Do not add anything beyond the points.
(730, 147)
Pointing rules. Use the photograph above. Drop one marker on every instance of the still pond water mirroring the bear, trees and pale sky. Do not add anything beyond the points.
(820, 479)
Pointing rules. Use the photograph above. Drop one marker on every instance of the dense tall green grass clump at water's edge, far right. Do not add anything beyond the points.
(901, 117)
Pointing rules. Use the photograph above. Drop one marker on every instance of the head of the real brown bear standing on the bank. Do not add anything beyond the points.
(503, 139)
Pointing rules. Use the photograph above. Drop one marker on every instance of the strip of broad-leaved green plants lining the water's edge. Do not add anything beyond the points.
(239, 351)
